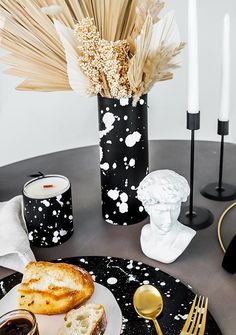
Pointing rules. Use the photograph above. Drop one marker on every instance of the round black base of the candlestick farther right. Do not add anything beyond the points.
(212, 191)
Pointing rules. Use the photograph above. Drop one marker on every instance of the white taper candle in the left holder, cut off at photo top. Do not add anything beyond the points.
(193, 62)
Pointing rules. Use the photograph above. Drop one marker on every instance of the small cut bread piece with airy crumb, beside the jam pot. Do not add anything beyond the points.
(89, 319)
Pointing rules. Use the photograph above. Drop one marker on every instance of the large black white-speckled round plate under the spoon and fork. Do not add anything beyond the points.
(122, 277)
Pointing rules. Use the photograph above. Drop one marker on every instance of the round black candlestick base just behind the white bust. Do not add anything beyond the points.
(200, 219)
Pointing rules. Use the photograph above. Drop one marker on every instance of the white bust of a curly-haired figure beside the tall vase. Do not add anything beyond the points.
(161, 193)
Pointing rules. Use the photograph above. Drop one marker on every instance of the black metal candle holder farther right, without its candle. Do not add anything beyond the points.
(220, 191)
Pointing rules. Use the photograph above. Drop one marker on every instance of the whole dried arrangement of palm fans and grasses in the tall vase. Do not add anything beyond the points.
(118, 49)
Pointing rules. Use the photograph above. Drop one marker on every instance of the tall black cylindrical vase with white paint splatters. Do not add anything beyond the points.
(123, 158)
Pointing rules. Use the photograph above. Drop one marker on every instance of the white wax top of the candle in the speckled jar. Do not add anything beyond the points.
(46, 187)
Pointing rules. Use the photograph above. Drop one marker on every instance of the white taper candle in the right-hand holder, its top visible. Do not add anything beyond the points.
(225, 84)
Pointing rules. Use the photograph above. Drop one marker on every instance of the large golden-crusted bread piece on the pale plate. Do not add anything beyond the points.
(54, 288)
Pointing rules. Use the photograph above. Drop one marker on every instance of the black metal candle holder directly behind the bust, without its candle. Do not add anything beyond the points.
(192, 216)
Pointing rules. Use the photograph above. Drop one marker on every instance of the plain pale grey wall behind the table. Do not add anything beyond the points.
(32, 124)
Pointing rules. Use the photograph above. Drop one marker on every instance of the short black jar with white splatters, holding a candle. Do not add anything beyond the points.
(49, 220)
